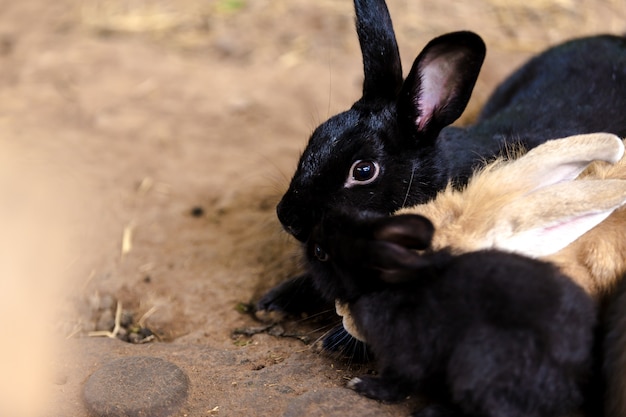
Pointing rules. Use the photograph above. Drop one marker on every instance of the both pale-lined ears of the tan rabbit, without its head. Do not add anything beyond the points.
(554, 210)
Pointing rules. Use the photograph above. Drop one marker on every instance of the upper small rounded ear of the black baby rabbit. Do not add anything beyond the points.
(410, 230)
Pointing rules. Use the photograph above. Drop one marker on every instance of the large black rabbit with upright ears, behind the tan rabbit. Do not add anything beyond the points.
(395, 147)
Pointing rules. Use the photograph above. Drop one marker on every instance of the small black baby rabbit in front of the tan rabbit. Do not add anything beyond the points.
(483, 333)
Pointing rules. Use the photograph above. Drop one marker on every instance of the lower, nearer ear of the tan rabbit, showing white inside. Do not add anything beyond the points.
(545, 221)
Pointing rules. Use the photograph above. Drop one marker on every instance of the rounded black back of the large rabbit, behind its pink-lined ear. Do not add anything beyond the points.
(590, 97)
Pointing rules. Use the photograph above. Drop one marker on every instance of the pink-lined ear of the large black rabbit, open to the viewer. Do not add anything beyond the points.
(440, 83)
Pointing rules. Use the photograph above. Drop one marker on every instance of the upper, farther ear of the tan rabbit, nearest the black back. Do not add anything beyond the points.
(564, 159)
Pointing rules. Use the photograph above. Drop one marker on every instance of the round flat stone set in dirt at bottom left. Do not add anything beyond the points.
(136, 386)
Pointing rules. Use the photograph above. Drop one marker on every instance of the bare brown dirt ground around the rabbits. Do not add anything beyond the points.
(143, 147)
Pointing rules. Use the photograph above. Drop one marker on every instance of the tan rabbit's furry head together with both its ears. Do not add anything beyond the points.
(513, 204)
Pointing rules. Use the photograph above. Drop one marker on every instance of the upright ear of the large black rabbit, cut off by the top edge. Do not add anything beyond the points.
(381, 59)
